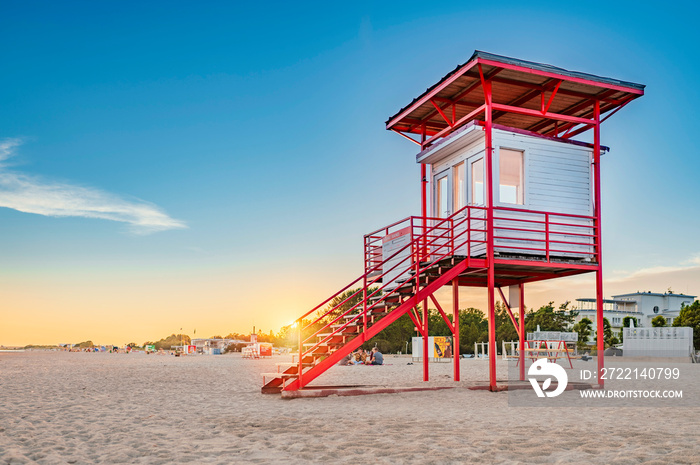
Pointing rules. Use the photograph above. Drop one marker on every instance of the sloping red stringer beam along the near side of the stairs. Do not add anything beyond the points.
(376, 328)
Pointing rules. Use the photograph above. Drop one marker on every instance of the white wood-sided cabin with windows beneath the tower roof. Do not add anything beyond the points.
(543, 189)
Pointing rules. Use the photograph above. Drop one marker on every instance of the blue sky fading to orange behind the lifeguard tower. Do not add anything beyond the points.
(235, 153)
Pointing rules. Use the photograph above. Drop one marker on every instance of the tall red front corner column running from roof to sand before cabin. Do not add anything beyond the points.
(491, 279)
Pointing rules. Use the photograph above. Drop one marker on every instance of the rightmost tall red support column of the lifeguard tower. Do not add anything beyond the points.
(599, 273)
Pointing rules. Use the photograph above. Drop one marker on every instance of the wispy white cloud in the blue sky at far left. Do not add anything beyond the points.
(31, 194)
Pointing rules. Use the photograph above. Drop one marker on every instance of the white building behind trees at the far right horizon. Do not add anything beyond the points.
(643, 306)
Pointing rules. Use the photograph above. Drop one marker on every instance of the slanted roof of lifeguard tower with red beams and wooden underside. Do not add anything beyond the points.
(530, 96)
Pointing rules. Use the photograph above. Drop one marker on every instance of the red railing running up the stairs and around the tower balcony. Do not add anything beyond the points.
(463, 233)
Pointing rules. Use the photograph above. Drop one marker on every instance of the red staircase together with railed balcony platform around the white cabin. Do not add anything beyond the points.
(431, 252)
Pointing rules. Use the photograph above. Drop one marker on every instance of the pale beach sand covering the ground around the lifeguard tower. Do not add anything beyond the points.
(77, 408)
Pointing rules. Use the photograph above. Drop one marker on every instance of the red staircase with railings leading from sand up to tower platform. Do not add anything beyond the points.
(391, 287)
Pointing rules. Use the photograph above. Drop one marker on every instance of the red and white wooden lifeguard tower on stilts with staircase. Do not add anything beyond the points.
(508, 197)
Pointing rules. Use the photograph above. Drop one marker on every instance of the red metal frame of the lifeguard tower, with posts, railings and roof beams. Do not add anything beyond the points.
(549, 234)
